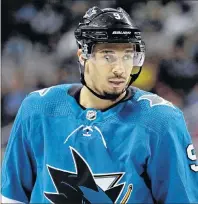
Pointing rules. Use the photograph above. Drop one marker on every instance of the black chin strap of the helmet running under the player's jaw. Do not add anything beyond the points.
(107, 96)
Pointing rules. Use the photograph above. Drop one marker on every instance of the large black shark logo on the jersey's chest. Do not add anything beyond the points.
(85, 187)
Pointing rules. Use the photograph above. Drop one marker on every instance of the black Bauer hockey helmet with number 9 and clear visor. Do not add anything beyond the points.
(109, 26)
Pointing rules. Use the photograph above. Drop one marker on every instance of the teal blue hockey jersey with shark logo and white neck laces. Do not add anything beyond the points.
(138, 151)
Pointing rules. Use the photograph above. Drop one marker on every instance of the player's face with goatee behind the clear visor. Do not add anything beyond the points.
(109, 68)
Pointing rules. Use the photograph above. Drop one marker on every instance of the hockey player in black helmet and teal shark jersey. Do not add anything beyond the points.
(103, 141)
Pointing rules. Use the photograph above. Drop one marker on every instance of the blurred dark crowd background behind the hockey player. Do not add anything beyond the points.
(39, 50)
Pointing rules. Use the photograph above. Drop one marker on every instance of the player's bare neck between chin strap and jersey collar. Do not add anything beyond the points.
(88, 100)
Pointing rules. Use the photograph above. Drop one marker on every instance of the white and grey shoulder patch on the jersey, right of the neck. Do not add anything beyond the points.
(155, 100)
